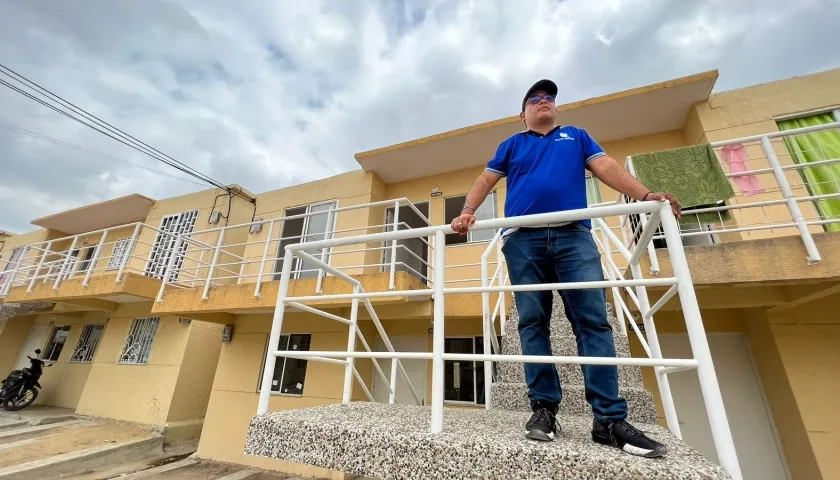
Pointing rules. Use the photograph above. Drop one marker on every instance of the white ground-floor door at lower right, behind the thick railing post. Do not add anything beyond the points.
(759, 454)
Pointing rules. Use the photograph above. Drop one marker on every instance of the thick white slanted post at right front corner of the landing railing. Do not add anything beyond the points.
(722, 435)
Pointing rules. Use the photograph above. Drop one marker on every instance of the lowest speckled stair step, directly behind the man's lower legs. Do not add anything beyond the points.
(514, 396)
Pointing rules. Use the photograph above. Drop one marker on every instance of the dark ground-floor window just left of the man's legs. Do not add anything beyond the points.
(464, 381)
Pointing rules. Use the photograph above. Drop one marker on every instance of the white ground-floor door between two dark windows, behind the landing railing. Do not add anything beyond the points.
(416, 370)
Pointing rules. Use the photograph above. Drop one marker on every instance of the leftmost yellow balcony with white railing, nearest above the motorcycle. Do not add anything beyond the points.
(98, 269)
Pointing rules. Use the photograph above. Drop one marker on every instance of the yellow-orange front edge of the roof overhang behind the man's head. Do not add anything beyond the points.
(707, 75)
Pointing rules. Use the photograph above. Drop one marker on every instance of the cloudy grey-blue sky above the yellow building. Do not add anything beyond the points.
(267, 94)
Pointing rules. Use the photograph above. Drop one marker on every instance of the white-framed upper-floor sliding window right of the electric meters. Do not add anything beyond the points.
(310, 228)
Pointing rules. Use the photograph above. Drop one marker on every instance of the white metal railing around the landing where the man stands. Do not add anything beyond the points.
(680, 285)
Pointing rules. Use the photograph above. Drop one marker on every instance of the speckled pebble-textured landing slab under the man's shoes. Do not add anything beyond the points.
(392, 442)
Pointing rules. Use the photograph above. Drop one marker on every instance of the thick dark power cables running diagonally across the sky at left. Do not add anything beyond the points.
(111, 132)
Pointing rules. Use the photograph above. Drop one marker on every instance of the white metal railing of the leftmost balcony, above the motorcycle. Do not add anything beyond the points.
(83, 256)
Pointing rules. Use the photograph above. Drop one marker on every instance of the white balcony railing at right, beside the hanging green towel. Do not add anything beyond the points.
(773, 204)
